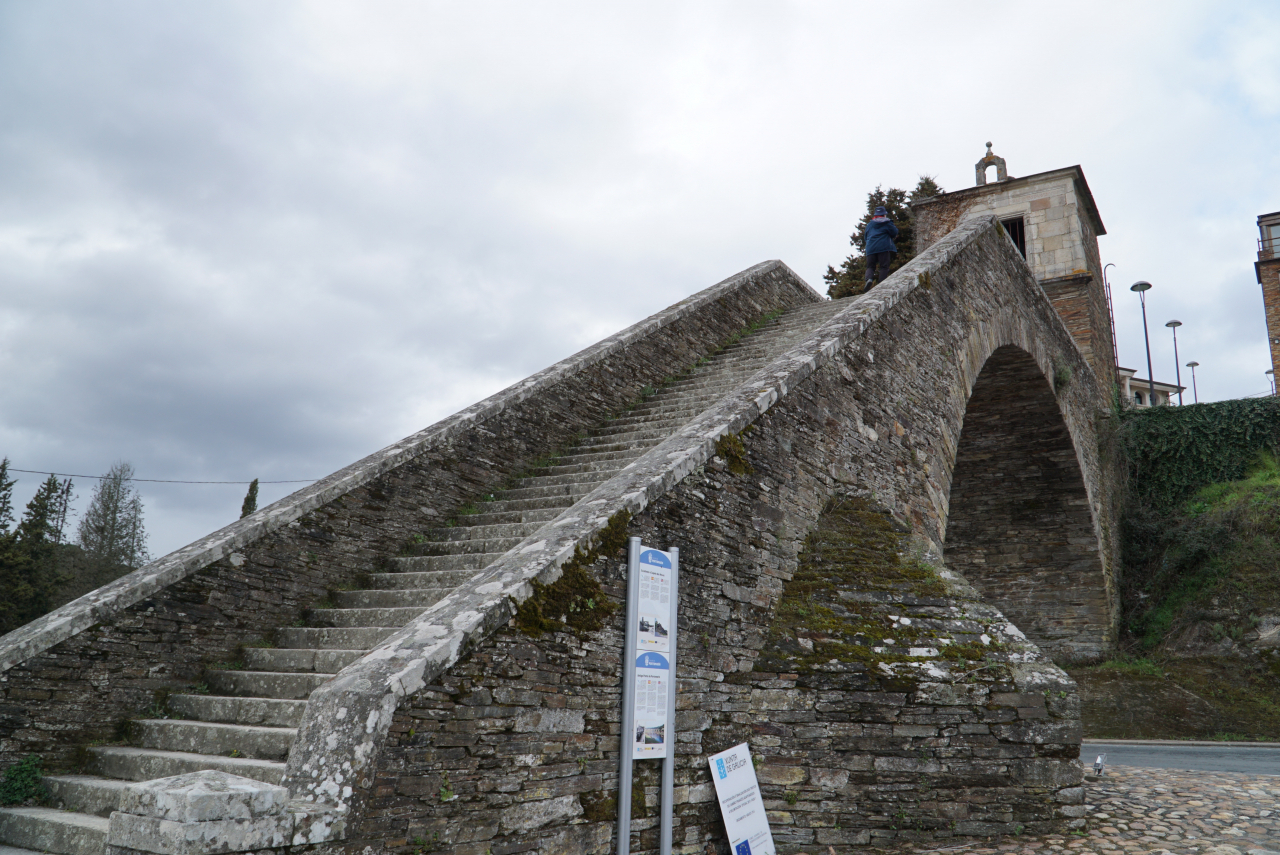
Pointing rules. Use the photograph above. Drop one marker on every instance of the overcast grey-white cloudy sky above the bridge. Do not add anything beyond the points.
(264, 240)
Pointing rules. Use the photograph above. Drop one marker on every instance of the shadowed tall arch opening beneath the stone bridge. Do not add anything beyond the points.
(1020, 527)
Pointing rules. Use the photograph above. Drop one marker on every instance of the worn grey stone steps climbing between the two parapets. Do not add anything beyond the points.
(249, 720)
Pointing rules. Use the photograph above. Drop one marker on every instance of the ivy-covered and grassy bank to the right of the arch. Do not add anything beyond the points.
(1201, 586)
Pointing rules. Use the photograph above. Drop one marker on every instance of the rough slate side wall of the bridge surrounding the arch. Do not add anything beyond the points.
(514, 749)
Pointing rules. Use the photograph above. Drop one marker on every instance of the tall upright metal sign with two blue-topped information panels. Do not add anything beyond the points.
(650, 682)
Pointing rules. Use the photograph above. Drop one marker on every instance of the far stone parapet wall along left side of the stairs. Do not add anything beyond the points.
(84, 688)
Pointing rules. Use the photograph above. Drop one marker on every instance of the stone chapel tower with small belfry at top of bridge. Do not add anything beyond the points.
(1054, 222)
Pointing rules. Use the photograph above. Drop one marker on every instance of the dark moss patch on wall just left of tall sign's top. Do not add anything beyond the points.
(575, 602)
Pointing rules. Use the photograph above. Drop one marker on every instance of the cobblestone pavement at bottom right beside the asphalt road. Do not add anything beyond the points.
(1163, 812)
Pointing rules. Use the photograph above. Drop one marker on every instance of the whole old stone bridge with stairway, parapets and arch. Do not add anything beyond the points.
(894, 514)
